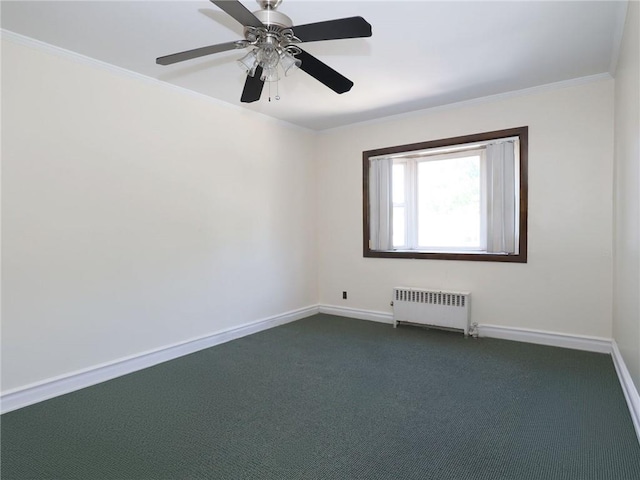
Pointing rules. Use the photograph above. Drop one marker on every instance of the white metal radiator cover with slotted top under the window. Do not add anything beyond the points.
(434, 308)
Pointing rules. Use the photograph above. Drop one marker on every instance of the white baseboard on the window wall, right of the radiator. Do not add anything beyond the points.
(554, 339)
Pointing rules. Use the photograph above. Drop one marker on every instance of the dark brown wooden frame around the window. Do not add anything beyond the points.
(521, 257)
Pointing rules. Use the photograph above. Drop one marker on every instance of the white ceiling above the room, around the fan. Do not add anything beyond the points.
(422, 53)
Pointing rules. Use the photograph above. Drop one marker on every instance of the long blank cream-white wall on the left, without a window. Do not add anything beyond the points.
(136, 216)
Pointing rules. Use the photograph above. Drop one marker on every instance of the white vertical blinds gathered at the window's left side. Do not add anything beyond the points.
(380, 204)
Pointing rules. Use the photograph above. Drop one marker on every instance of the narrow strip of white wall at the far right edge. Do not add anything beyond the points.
(626, 311)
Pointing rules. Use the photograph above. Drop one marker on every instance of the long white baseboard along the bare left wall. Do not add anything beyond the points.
(37, 392)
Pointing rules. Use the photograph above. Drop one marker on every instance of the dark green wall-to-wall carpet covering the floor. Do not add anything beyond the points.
(334, 398)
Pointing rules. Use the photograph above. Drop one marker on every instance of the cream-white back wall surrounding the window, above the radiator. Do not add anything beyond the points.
(566, 286)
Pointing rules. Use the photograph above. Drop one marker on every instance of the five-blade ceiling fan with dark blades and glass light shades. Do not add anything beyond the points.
(273, 40)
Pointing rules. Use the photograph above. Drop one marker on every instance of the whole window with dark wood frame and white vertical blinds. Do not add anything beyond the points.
(461, 198)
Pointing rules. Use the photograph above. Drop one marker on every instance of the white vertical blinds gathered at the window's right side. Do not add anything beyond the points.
(501, 197)
